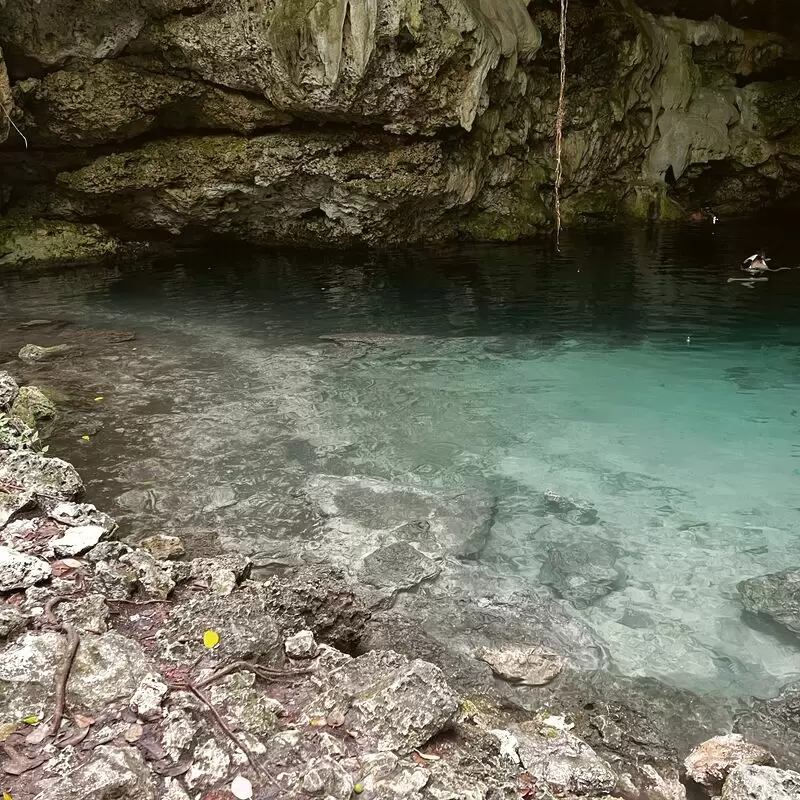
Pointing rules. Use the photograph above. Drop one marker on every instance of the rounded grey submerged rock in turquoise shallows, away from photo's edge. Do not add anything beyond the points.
(581, 572)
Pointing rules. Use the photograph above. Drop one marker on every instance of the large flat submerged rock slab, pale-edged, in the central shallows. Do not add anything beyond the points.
(360, 514)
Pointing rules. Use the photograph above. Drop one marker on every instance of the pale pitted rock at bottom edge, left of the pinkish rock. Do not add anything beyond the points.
(563, 761)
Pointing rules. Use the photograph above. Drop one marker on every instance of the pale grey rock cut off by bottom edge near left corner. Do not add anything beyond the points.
(111, 772)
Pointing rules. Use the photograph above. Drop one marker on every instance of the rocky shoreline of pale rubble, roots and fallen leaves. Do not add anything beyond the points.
(136, 672)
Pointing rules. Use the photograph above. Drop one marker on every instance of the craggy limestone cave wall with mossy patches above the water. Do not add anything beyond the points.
(341, 121)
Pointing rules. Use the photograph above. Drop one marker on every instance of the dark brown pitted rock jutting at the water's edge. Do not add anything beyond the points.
(319, 600)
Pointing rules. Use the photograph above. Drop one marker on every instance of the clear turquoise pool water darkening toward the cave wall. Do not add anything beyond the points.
(625, 373)
